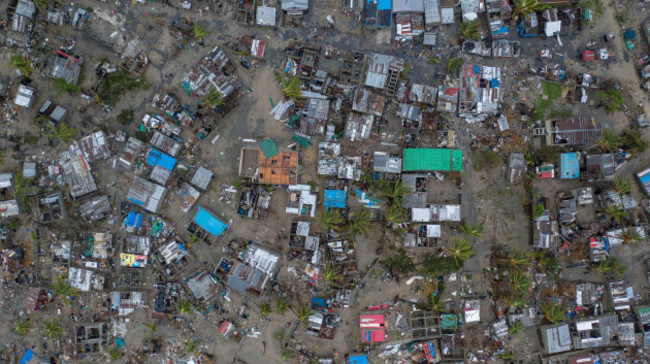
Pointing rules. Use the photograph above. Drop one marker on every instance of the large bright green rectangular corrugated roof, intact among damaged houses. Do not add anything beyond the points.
(429, 159)
